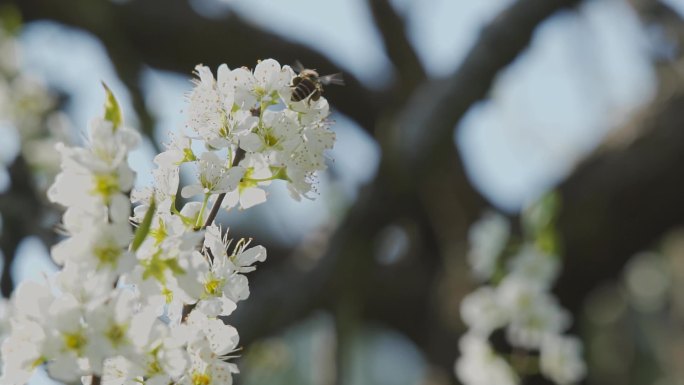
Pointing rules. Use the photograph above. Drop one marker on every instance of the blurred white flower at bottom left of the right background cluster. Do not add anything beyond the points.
(480, 365)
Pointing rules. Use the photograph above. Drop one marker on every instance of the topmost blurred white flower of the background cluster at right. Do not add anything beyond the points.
(487, 237)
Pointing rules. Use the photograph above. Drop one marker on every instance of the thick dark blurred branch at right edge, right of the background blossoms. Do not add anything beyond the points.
(620, 202)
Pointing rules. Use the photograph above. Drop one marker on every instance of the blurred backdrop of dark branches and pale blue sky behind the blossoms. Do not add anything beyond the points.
(451, 107)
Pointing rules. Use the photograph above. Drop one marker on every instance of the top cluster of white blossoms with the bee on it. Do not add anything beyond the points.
(240, 110)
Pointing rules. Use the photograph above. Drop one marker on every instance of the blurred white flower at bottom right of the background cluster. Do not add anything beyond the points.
(561, 359)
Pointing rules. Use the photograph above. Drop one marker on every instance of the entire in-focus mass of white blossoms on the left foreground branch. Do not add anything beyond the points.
(147, 305)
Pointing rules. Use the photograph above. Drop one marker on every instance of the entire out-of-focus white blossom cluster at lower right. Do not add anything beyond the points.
(518, 302)
